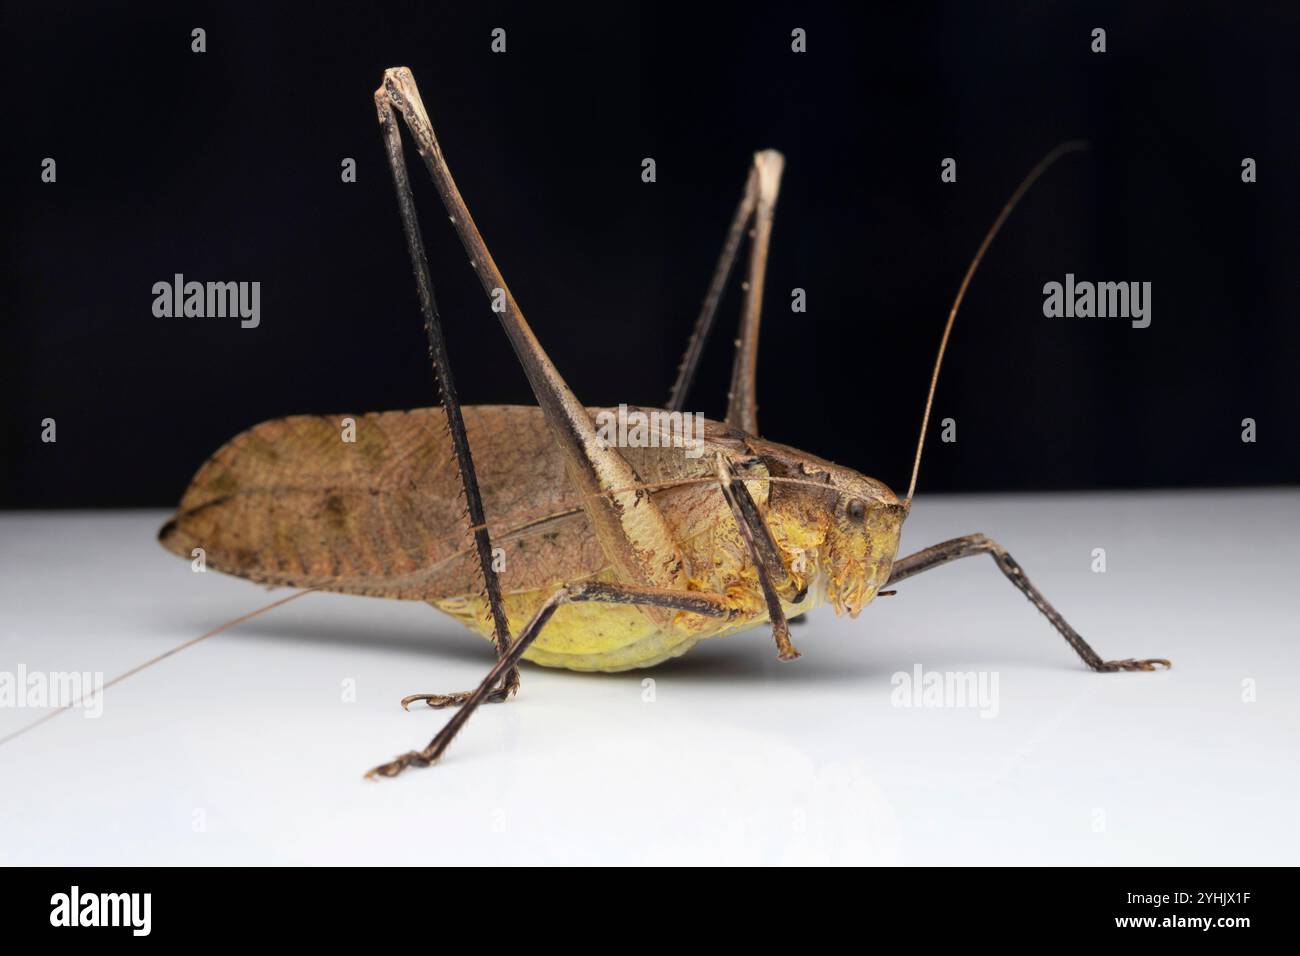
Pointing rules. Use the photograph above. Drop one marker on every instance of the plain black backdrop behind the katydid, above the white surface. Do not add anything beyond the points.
(226, 166)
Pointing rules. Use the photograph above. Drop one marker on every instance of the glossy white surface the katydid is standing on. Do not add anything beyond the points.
(739, 759)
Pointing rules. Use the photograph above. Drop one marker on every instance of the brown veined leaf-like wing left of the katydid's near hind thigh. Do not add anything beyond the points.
(289, 503)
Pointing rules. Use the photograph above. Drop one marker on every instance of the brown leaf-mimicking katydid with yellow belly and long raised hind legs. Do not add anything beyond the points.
(531, 529)
